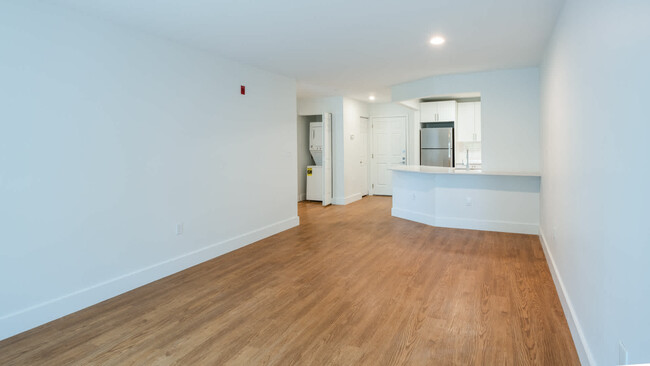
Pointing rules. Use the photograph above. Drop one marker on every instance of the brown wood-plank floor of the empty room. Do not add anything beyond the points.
(350, 286)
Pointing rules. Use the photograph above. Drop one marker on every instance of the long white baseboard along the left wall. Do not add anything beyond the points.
(25, 319)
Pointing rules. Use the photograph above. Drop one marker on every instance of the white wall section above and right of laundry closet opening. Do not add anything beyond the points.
(334, 105)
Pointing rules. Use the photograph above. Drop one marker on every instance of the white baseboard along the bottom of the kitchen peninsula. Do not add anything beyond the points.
(462, 223)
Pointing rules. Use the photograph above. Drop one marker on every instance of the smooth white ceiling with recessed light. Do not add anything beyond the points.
(348, 47)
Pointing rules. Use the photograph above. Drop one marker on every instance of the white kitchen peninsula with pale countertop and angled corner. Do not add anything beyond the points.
(467, 199)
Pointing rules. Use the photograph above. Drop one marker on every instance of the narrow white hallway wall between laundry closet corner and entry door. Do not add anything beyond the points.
(352, 111)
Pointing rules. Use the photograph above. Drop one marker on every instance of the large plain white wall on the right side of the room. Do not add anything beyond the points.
(596, 175)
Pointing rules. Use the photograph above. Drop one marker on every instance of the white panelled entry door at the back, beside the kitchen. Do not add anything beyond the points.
(388, 148)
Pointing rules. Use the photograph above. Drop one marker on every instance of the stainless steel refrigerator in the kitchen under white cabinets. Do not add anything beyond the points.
(437, 144)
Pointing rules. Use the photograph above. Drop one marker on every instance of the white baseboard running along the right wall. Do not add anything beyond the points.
(584, 353)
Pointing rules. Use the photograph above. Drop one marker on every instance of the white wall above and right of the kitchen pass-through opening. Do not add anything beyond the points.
(509, 112)
